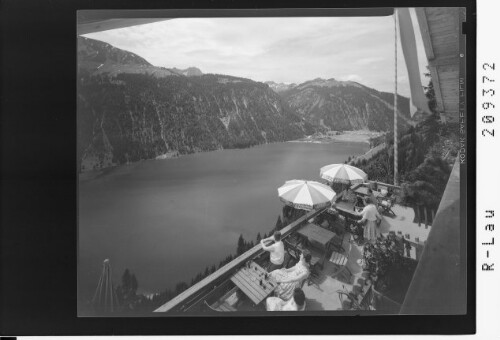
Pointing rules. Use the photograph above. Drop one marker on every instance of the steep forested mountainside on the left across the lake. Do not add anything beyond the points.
(128, 116)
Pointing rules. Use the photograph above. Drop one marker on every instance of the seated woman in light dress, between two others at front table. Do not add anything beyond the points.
(290, 278)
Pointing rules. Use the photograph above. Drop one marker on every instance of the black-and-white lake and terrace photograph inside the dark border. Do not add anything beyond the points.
(271, 165)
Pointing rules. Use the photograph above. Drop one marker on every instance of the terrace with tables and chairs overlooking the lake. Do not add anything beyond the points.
(332, 285)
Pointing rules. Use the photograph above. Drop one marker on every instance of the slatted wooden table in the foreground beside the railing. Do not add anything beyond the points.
(248, 281)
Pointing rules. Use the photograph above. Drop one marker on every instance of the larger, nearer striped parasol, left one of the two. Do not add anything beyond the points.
(306, 195)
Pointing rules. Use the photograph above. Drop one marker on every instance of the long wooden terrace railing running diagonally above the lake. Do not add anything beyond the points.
(181, 301)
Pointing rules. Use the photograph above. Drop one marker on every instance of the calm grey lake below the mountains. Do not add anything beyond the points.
(166, 220)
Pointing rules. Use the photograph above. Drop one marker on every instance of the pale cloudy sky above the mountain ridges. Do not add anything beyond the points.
(289, 50)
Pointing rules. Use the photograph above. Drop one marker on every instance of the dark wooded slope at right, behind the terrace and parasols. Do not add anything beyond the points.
(426, 156)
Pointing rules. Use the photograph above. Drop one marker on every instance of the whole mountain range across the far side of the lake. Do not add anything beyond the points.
(129, 110)
